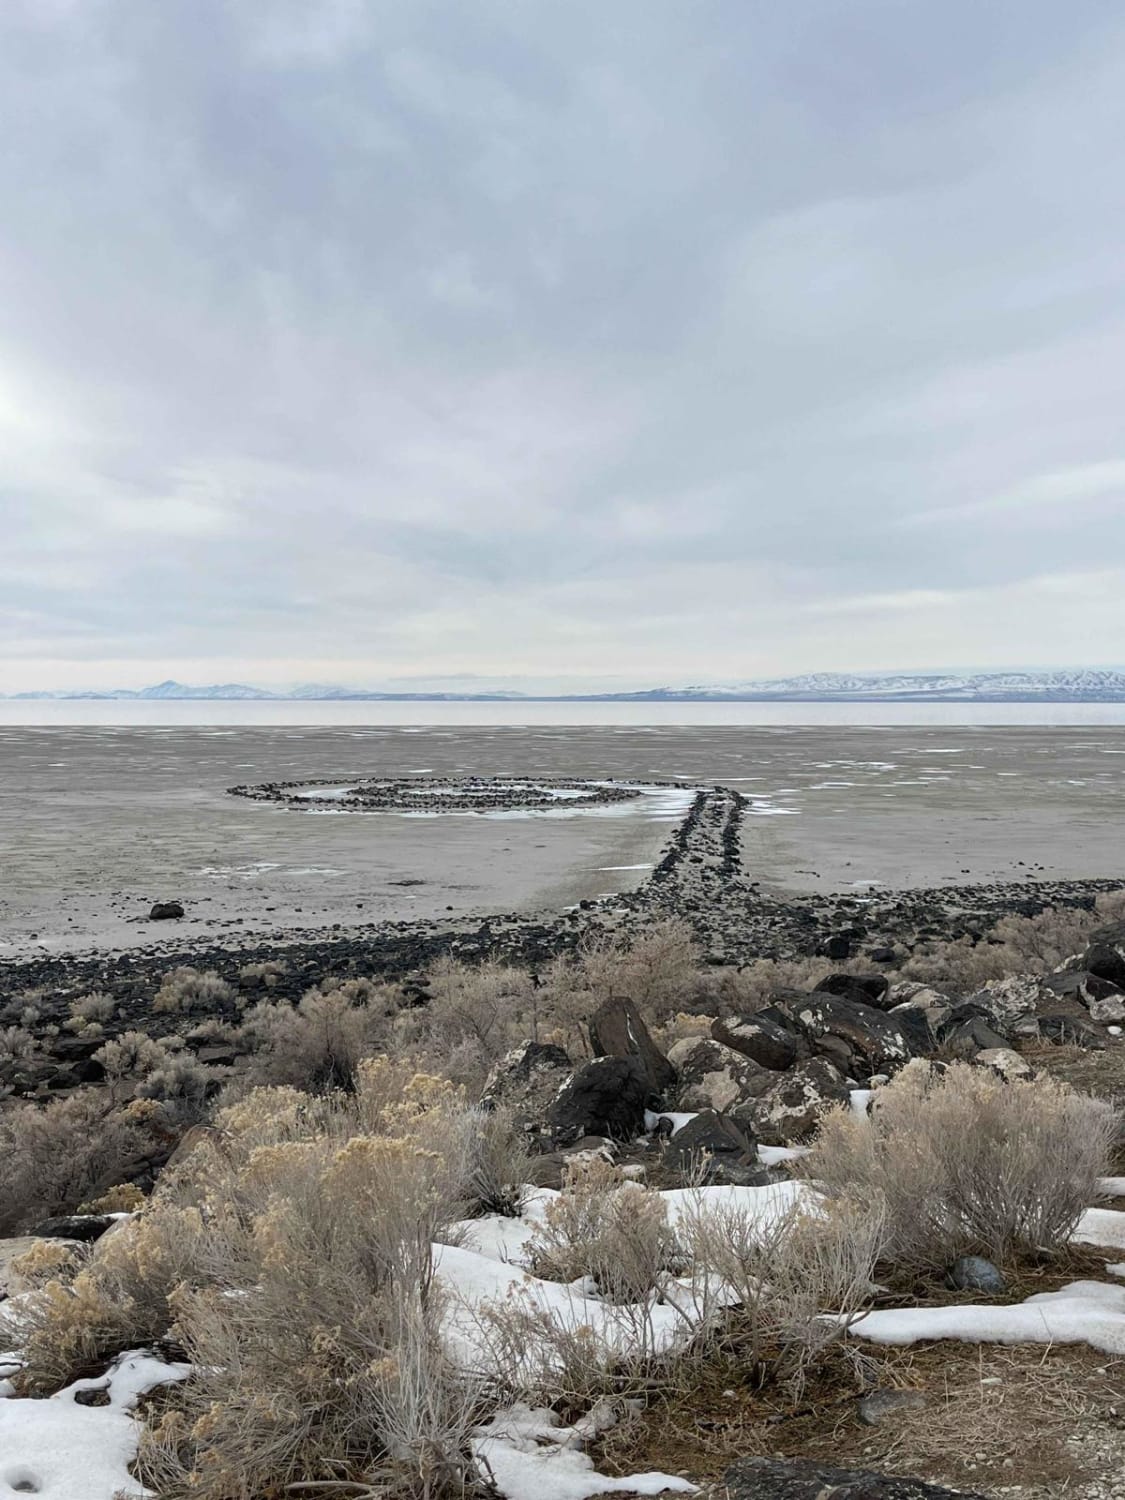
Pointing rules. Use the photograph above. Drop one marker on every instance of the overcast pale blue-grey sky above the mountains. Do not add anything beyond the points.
(559, 344)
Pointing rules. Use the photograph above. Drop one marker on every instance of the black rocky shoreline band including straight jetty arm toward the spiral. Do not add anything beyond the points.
(700, 880)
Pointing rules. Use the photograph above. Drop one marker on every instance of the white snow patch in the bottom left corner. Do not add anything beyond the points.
(64, 1451)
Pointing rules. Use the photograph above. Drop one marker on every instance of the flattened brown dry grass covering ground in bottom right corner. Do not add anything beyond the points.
(992, 1417)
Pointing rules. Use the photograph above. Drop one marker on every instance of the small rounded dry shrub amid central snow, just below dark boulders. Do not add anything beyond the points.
(610, 1229)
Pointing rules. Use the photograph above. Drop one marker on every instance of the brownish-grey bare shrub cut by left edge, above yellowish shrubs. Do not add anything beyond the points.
(58, 1156)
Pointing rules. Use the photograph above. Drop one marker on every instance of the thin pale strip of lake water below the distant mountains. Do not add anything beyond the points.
(634, 716)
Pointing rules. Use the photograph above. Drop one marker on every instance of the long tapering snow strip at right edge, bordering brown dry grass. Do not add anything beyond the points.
(1084, 1313)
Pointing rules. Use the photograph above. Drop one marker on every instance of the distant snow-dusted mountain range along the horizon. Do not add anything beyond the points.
(1078, 686)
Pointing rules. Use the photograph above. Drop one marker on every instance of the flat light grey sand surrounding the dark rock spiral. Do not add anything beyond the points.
(97, 824)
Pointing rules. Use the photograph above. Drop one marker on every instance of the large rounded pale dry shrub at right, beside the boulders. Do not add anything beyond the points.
(968, 1163)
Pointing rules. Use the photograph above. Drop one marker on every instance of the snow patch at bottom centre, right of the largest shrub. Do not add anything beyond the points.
(532, 1457)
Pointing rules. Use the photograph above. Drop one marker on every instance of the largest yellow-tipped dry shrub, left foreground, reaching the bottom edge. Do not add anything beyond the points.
(314, 1321)
